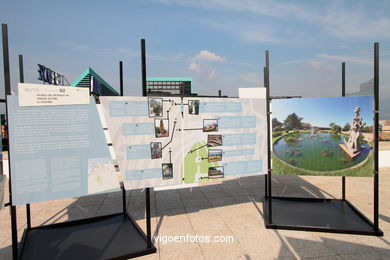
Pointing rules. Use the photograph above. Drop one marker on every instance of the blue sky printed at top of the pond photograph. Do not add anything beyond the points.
(323, 111)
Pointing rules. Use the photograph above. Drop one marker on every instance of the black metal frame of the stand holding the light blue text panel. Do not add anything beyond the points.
(17, 250)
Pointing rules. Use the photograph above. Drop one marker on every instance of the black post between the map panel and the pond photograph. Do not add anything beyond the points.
(269, 166)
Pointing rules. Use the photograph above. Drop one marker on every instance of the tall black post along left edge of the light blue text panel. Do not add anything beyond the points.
(7, 88)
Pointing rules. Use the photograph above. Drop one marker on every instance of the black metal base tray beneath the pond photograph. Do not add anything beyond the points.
(320, 215)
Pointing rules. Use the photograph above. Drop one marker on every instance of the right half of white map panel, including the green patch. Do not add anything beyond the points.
(223, 137)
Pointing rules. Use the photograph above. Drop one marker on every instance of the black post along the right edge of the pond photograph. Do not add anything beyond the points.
(376, 136)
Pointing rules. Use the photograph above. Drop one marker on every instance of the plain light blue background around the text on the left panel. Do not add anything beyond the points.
(37, 163)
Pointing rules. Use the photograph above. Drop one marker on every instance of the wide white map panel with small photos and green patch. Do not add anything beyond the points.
(162, 141)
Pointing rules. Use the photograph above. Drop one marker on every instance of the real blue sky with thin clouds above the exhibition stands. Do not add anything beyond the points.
(219, 43)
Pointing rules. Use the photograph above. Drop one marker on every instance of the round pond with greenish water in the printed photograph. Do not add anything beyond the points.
(316, 152)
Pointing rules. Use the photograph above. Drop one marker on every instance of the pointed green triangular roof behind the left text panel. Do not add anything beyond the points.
(84, 80)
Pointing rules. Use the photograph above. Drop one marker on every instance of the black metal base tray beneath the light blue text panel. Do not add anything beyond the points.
(108, 237)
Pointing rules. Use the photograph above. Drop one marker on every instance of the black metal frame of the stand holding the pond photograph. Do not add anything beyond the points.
(373, 227)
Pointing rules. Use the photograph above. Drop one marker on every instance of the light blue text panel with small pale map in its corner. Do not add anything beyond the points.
(57, 152)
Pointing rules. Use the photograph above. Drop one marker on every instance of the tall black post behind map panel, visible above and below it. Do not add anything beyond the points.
(147, 190)
